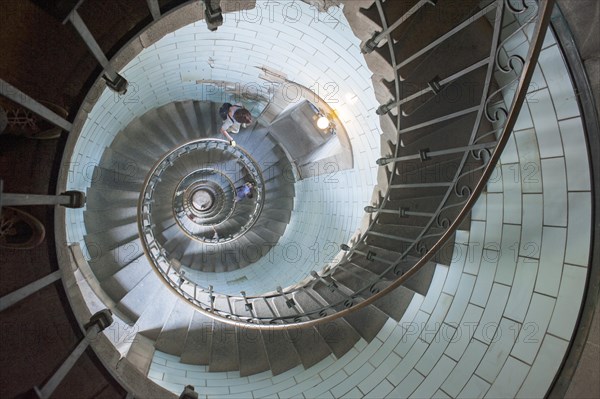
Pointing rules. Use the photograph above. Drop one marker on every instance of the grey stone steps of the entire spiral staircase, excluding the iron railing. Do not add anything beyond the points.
(417, 191)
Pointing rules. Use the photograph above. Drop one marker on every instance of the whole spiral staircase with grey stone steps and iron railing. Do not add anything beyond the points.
(161, 206)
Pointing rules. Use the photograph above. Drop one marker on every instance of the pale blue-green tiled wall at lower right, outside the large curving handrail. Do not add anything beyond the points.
(497, 322)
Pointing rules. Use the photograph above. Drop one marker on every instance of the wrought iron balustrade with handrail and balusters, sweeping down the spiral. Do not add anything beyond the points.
(507, 73)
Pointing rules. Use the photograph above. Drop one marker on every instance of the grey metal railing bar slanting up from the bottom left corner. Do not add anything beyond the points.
(97, 323)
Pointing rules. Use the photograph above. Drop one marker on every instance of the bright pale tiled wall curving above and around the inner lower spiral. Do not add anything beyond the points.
(315, 50)
